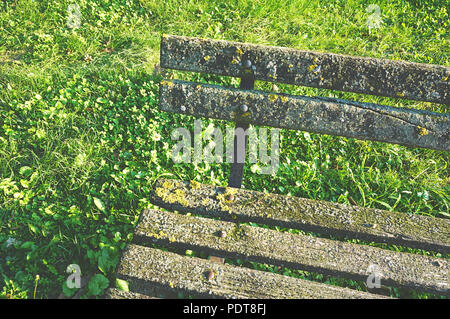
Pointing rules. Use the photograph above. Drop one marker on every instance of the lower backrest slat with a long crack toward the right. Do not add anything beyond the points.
(319, 115)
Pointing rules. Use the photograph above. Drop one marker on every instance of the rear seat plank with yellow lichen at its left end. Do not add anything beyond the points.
(323, 217)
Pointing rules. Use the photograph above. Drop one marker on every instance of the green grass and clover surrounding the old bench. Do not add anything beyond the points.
(79, 108)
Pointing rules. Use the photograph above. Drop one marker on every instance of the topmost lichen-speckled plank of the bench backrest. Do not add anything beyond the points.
(415, 81)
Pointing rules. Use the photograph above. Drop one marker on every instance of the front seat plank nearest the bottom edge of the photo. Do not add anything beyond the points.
(146, 268)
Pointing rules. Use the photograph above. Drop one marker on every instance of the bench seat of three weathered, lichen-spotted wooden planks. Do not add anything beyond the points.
(152, 272)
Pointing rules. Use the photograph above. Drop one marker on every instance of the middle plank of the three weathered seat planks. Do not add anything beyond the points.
(308, 253)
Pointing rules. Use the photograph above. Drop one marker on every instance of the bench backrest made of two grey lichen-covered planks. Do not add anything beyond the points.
(367, 121)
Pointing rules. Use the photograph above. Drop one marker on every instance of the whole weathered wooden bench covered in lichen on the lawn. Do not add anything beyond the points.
(228, 226)
